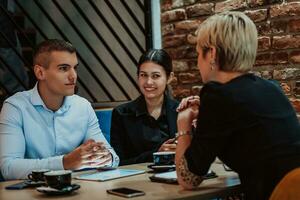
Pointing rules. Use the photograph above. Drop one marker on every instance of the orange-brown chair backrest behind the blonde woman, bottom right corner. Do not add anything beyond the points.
(288, 187)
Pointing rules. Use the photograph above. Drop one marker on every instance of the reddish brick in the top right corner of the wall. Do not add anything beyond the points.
(285, 10)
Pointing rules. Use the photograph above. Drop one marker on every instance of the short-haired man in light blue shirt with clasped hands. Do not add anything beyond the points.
(49, 127)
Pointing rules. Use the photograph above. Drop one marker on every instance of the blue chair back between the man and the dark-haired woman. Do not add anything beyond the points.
(104, 120)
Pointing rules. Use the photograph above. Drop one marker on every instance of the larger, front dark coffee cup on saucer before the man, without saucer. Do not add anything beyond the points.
(58, 179)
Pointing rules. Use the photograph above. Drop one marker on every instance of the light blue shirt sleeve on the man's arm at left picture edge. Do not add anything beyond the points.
(13, 147)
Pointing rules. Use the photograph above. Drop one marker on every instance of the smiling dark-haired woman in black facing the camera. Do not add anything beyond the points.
(147, 124)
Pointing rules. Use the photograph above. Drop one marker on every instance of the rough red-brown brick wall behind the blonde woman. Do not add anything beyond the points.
(278, 24)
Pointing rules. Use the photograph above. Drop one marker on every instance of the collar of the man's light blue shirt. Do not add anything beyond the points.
(36, 100)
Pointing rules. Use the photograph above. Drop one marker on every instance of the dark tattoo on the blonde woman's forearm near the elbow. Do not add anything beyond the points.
(187, 176)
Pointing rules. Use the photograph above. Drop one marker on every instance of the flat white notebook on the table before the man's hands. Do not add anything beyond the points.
(109, 175)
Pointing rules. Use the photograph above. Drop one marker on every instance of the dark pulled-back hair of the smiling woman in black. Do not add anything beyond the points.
(158, 56)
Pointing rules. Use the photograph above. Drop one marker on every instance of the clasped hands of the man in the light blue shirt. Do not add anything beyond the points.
(90, 153)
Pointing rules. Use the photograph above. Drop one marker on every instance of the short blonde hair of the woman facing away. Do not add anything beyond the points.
(235, 37)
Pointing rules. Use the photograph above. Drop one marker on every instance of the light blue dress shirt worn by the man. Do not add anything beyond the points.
(34, 137)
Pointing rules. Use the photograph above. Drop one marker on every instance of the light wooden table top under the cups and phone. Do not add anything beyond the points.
(226, 184)
